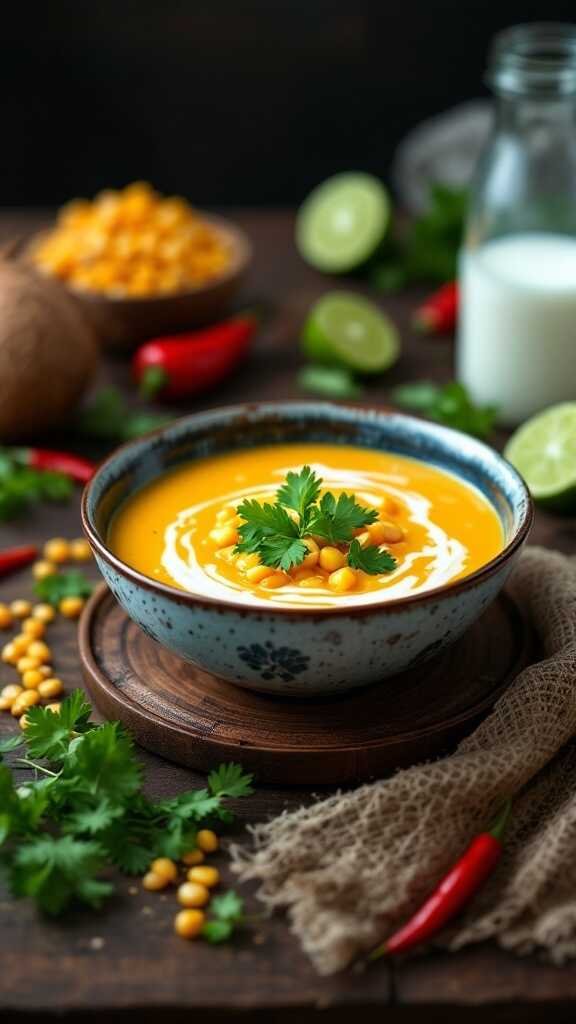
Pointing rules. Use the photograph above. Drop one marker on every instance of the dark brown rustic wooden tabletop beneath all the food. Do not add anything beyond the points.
(126, 961)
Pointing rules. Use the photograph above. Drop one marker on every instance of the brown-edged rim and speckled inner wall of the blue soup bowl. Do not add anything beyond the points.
(454, 438)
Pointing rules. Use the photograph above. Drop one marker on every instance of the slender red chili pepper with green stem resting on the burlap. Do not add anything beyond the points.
(457, 888)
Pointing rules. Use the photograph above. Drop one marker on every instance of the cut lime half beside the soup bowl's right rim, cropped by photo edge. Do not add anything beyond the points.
(544, 451)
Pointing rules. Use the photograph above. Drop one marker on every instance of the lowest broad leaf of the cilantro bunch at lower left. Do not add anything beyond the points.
(57, 871)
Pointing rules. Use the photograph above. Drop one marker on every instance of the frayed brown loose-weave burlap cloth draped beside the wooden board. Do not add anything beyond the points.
(350, 869)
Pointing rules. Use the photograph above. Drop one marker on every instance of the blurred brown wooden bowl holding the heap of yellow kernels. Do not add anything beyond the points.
(124, 323)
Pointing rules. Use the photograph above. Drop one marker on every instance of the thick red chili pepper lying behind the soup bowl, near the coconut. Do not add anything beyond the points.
(188, 364)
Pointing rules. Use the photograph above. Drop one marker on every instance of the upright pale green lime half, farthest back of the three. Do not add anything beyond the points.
(343, 223)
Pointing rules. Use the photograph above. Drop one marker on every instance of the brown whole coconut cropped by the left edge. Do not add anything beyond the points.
(49, 353)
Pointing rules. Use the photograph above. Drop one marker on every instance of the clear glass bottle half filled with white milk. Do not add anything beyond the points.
(517, 335)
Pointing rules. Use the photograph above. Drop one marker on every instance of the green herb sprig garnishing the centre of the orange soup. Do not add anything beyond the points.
(279, 538)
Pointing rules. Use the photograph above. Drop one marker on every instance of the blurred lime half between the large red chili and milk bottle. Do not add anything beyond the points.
(344, 329)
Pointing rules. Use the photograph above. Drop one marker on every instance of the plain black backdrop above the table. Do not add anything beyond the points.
(228, 103)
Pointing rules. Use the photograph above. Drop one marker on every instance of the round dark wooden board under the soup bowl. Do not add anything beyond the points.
(198, 720)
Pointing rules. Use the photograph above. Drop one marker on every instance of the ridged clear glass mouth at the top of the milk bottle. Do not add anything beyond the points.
(537, 60)
